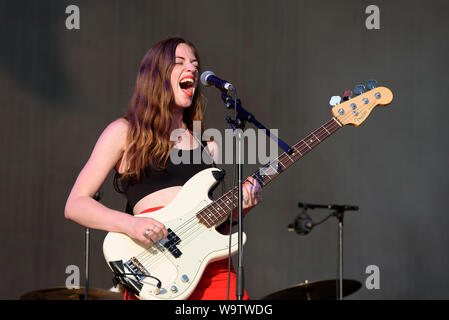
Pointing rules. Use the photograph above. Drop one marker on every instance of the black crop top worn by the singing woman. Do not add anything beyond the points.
(154, 179)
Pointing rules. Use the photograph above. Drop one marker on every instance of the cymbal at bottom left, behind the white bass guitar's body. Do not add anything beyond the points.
(62, 293)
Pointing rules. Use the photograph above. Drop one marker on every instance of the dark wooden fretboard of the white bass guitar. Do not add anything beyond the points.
(220, 209)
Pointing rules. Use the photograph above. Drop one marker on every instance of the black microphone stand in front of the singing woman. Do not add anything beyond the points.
(239, 122)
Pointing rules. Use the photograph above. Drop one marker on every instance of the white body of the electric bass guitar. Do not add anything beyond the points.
(198, 245)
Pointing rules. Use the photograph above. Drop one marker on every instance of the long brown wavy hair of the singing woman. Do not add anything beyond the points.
(149, 114)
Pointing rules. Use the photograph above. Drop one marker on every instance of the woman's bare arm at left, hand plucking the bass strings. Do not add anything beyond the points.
(83, 209)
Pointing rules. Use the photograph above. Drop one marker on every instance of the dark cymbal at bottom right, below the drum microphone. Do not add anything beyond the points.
(318, 290)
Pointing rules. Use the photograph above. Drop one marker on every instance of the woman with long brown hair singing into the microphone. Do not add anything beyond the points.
(138, 146)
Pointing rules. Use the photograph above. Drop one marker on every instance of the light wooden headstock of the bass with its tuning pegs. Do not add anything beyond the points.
(354, 111)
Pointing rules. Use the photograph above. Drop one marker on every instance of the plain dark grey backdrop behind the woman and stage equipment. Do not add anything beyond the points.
(60, 88)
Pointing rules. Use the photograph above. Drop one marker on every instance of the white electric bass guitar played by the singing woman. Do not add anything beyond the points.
(171, 268)
